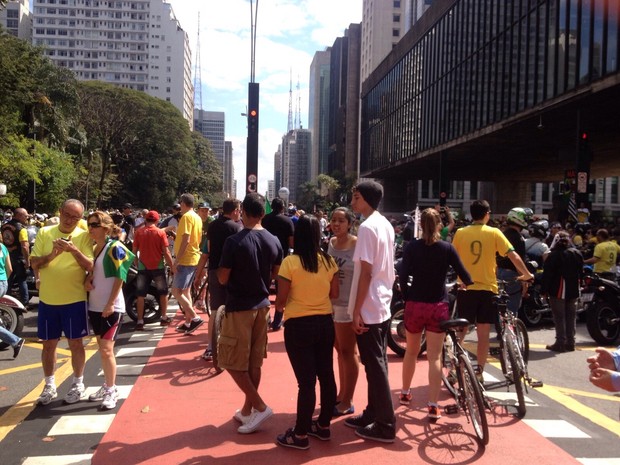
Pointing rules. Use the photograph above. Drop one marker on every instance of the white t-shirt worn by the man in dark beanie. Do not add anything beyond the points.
(375, 245)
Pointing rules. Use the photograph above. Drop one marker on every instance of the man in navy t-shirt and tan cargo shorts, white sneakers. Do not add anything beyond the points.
(250, 260)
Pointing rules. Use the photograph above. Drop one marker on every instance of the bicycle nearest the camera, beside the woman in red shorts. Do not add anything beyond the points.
(466, 390)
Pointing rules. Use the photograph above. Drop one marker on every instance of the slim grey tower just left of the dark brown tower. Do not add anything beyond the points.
(318, 112)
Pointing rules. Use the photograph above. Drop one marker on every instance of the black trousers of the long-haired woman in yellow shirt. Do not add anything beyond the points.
(309, 343)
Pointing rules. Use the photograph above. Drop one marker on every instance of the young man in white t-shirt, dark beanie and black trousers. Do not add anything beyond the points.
(369, 303)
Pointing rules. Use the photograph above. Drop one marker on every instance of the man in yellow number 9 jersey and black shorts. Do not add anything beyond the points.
(477, 245)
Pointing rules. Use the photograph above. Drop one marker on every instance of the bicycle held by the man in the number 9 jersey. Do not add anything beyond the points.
(514, 347)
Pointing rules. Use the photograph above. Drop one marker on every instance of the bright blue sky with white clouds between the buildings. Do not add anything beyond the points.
(289, 32)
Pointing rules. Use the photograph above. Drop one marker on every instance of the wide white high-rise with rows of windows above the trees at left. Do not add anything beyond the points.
(136, 44)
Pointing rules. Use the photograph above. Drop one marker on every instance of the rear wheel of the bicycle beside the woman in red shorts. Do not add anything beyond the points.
(472, 401)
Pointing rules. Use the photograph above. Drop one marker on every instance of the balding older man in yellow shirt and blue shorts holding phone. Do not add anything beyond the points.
(61, 257)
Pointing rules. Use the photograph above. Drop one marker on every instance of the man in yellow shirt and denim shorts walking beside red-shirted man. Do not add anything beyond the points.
(187, 255)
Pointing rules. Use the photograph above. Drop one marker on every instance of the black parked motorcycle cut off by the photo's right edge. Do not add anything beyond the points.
(600, 298)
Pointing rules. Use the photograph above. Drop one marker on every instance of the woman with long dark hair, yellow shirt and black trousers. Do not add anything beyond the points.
(307, 280)
